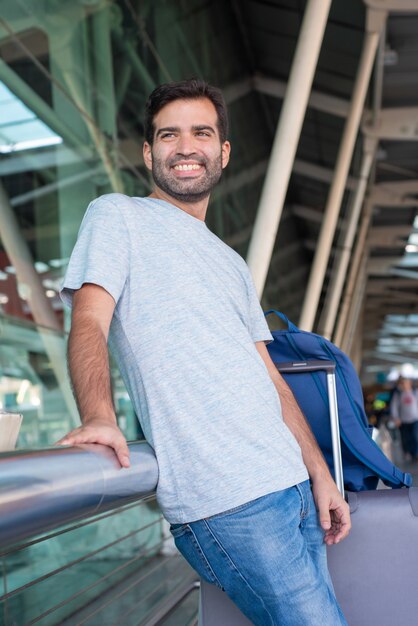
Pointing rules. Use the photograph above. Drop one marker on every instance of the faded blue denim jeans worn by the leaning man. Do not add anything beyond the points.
(269, 556)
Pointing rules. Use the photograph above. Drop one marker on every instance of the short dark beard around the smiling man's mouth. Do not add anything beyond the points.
(187, 190)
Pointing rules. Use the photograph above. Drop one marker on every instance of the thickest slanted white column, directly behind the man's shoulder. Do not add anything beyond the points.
(286, 140)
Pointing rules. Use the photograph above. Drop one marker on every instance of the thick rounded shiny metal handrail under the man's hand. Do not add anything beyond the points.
(43, 489)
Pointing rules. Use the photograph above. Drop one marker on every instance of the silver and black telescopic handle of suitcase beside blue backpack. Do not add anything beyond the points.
(329, 368)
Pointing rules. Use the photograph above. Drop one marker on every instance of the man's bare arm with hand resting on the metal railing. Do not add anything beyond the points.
(88, 362)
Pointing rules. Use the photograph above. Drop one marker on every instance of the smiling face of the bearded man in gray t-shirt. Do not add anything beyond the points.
(187, 156)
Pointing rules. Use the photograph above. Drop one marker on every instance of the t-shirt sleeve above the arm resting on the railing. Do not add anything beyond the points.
(101, 253)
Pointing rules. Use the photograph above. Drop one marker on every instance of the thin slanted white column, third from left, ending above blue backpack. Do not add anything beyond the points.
(338, 278)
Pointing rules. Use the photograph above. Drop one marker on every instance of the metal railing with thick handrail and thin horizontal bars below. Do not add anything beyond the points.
(113, 509)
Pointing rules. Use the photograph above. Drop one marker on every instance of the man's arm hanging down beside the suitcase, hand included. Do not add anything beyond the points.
(334, 514)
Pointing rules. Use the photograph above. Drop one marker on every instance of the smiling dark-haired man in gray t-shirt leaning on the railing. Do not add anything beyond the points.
(187, 331)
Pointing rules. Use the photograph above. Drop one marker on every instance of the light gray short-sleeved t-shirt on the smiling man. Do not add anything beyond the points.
(183, 333)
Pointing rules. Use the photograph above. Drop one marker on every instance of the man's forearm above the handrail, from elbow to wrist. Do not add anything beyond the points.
(88, 363)
